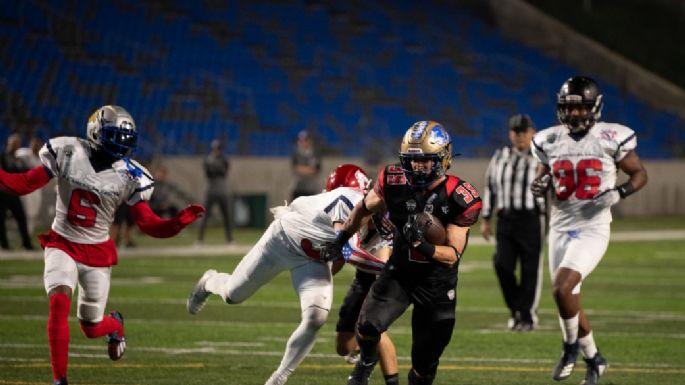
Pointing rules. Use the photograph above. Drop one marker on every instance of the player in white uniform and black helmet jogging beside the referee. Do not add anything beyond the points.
(579, 160)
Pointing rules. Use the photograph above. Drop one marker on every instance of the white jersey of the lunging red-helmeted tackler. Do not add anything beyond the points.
(308, 221)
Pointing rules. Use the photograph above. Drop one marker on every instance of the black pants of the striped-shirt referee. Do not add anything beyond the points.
(519, 240)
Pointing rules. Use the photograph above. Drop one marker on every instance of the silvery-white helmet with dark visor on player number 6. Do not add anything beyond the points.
(112, 129)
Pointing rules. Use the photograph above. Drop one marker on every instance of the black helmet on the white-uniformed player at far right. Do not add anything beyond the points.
(579, 90)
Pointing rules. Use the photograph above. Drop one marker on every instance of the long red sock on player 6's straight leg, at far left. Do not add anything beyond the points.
(58, 334)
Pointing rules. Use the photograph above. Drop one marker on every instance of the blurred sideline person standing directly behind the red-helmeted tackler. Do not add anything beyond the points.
(306, 166)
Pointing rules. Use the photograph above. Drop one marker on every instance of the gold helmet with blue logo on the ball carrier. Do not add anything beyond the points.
(425, 139)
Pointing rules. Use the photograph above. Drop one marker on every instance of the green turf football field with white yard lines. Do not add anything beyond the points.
(635, 301)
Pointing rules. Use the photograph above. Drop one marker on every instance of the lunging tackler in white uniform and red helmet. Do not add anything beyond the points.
(293, 241)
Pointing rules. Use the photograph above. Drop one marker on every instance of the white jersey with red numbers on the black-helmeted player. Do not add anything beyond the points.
(581, 169)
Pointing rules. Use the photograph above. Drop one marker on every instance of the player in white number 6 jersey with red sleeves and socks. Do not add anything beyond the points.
(94, 176)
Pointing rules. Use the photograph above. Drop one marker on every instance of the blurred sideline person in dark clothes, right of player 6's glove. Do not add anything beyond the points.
(216, 168)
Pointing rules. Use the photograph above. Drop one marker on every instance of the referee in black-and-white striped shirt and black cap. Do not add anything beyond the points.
(520, 223)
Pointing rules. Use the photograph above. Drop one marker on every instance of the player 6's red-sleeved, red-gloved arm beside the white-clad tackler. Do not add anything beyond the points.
(151, 224)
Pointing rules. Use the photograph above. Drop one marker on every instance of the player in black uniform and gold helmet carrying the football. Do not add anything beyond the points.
(418, 273)
